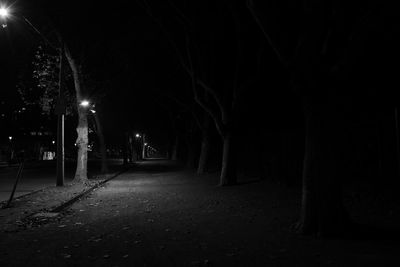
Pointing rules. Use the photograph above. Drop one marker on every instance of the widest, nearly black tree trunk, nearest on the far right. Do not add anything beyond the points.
(322, 210)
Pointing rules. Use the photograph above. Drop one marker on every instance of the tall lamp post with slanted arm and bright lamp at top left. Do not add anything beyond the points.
(61, 105)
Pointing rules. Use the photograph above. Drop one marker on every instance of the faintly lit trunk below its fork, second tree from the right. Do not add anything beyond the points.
(228, 171)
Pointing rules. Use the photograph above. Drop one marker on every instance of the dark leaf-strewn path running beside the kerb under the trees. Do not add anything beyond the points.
(156, 215)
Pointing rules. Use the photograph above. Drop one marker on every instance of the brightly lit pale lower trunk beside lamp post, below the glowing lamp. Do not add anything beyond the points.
(82, 143)
